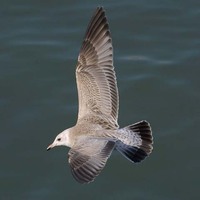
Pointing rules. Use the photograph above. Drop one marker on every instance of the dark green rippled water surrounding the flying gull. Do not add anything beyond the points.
(157, 60)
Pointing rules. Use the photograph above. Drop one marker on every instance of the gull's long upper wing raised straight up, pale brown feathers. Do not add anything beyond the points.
(95, 76)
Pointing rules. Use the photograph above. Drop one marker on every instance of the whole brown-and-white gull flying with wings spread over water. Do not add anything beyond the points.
(97, 133)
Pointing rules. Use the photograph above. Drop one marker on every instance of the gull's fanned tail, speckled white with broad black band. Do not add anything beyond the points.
(135, 141)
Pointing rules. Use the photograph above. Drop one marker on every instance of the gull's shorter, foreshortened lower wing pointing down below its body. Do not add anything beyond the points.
(87, 160)
